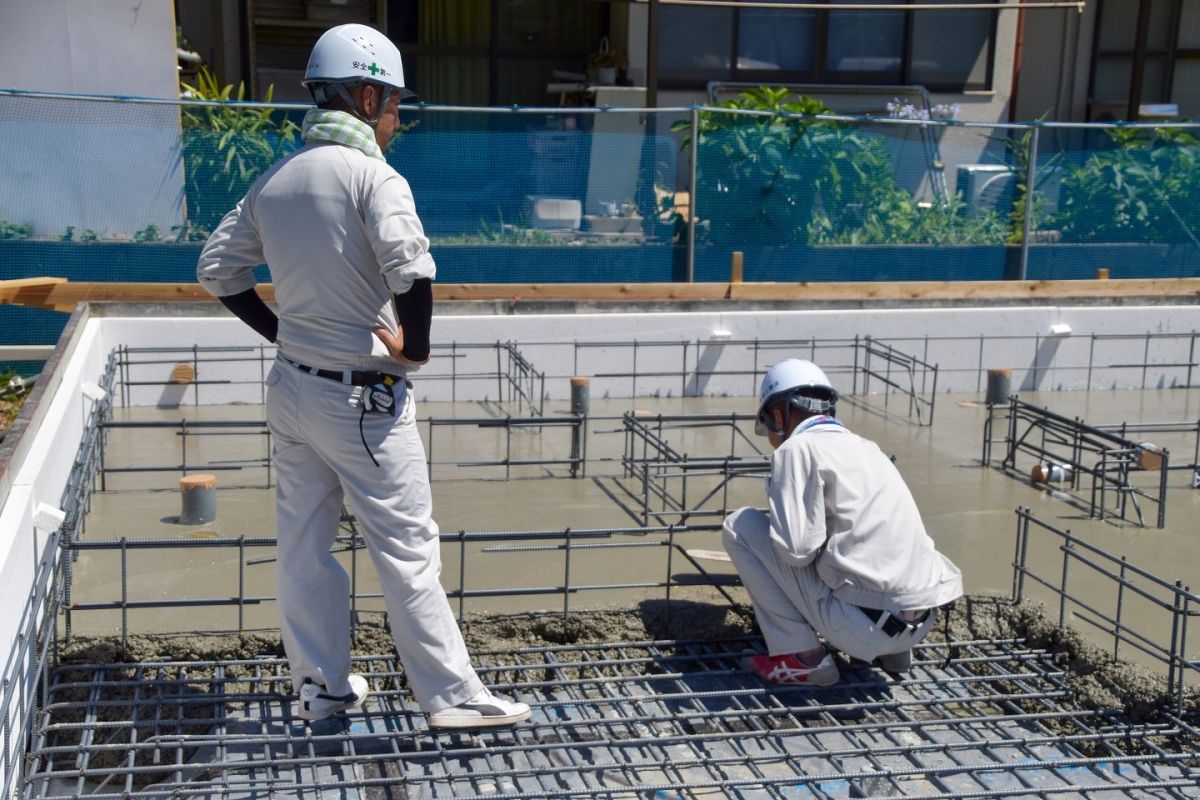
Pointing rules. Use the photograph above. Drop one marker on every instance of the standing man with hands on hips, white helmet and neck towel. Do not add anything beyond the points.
(352, 272)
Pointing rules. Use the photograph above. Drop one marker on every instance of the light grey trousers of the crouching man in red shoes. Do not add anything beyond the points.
(794, 605)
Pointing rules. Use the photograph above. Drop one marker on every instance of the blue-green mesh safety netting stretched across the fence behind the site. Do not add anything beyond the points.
(105, 189)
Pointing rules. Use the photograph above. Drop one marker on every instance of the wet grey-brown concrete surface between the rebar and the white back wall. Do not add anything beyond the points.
(968, 508)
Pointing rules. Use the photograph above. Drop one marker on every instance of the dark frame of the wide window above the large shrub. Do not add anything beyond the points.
(821, 75)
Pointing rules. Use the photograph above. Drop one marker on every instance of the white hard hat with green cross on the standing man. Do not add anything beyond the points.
(356, 53)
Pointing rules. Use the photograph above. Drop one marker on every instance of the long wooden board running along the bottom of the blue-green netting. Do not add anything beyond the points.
(63, 296)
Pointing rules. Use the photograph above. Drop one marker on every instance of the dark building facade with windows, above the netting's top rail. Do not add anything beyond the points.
(1094, 61)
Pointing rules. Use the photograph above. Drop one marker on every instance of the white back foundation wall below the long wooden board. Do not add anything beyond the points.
(964, 342)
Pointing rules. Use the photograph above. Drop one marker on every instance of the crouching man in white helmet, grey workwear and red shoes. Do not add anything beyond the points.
(843, 555)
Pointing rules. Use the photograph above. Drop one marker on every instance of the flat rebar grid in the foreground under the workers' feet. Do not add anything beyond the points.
(626, 720)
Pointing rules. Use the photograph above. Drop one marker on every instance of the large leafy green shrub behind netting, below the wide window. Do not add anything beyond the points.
(790, 178)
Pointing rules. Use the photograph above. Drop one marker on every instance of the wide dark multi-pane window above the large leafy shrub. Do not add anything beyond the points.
(946, 51)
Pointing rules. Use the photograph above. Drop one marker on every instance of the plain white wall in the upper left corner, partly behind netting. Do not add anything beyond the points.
(112, 169)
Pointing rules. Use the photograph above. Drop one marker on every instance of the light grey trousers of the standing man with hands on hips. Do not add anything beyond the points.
(320, 459)
